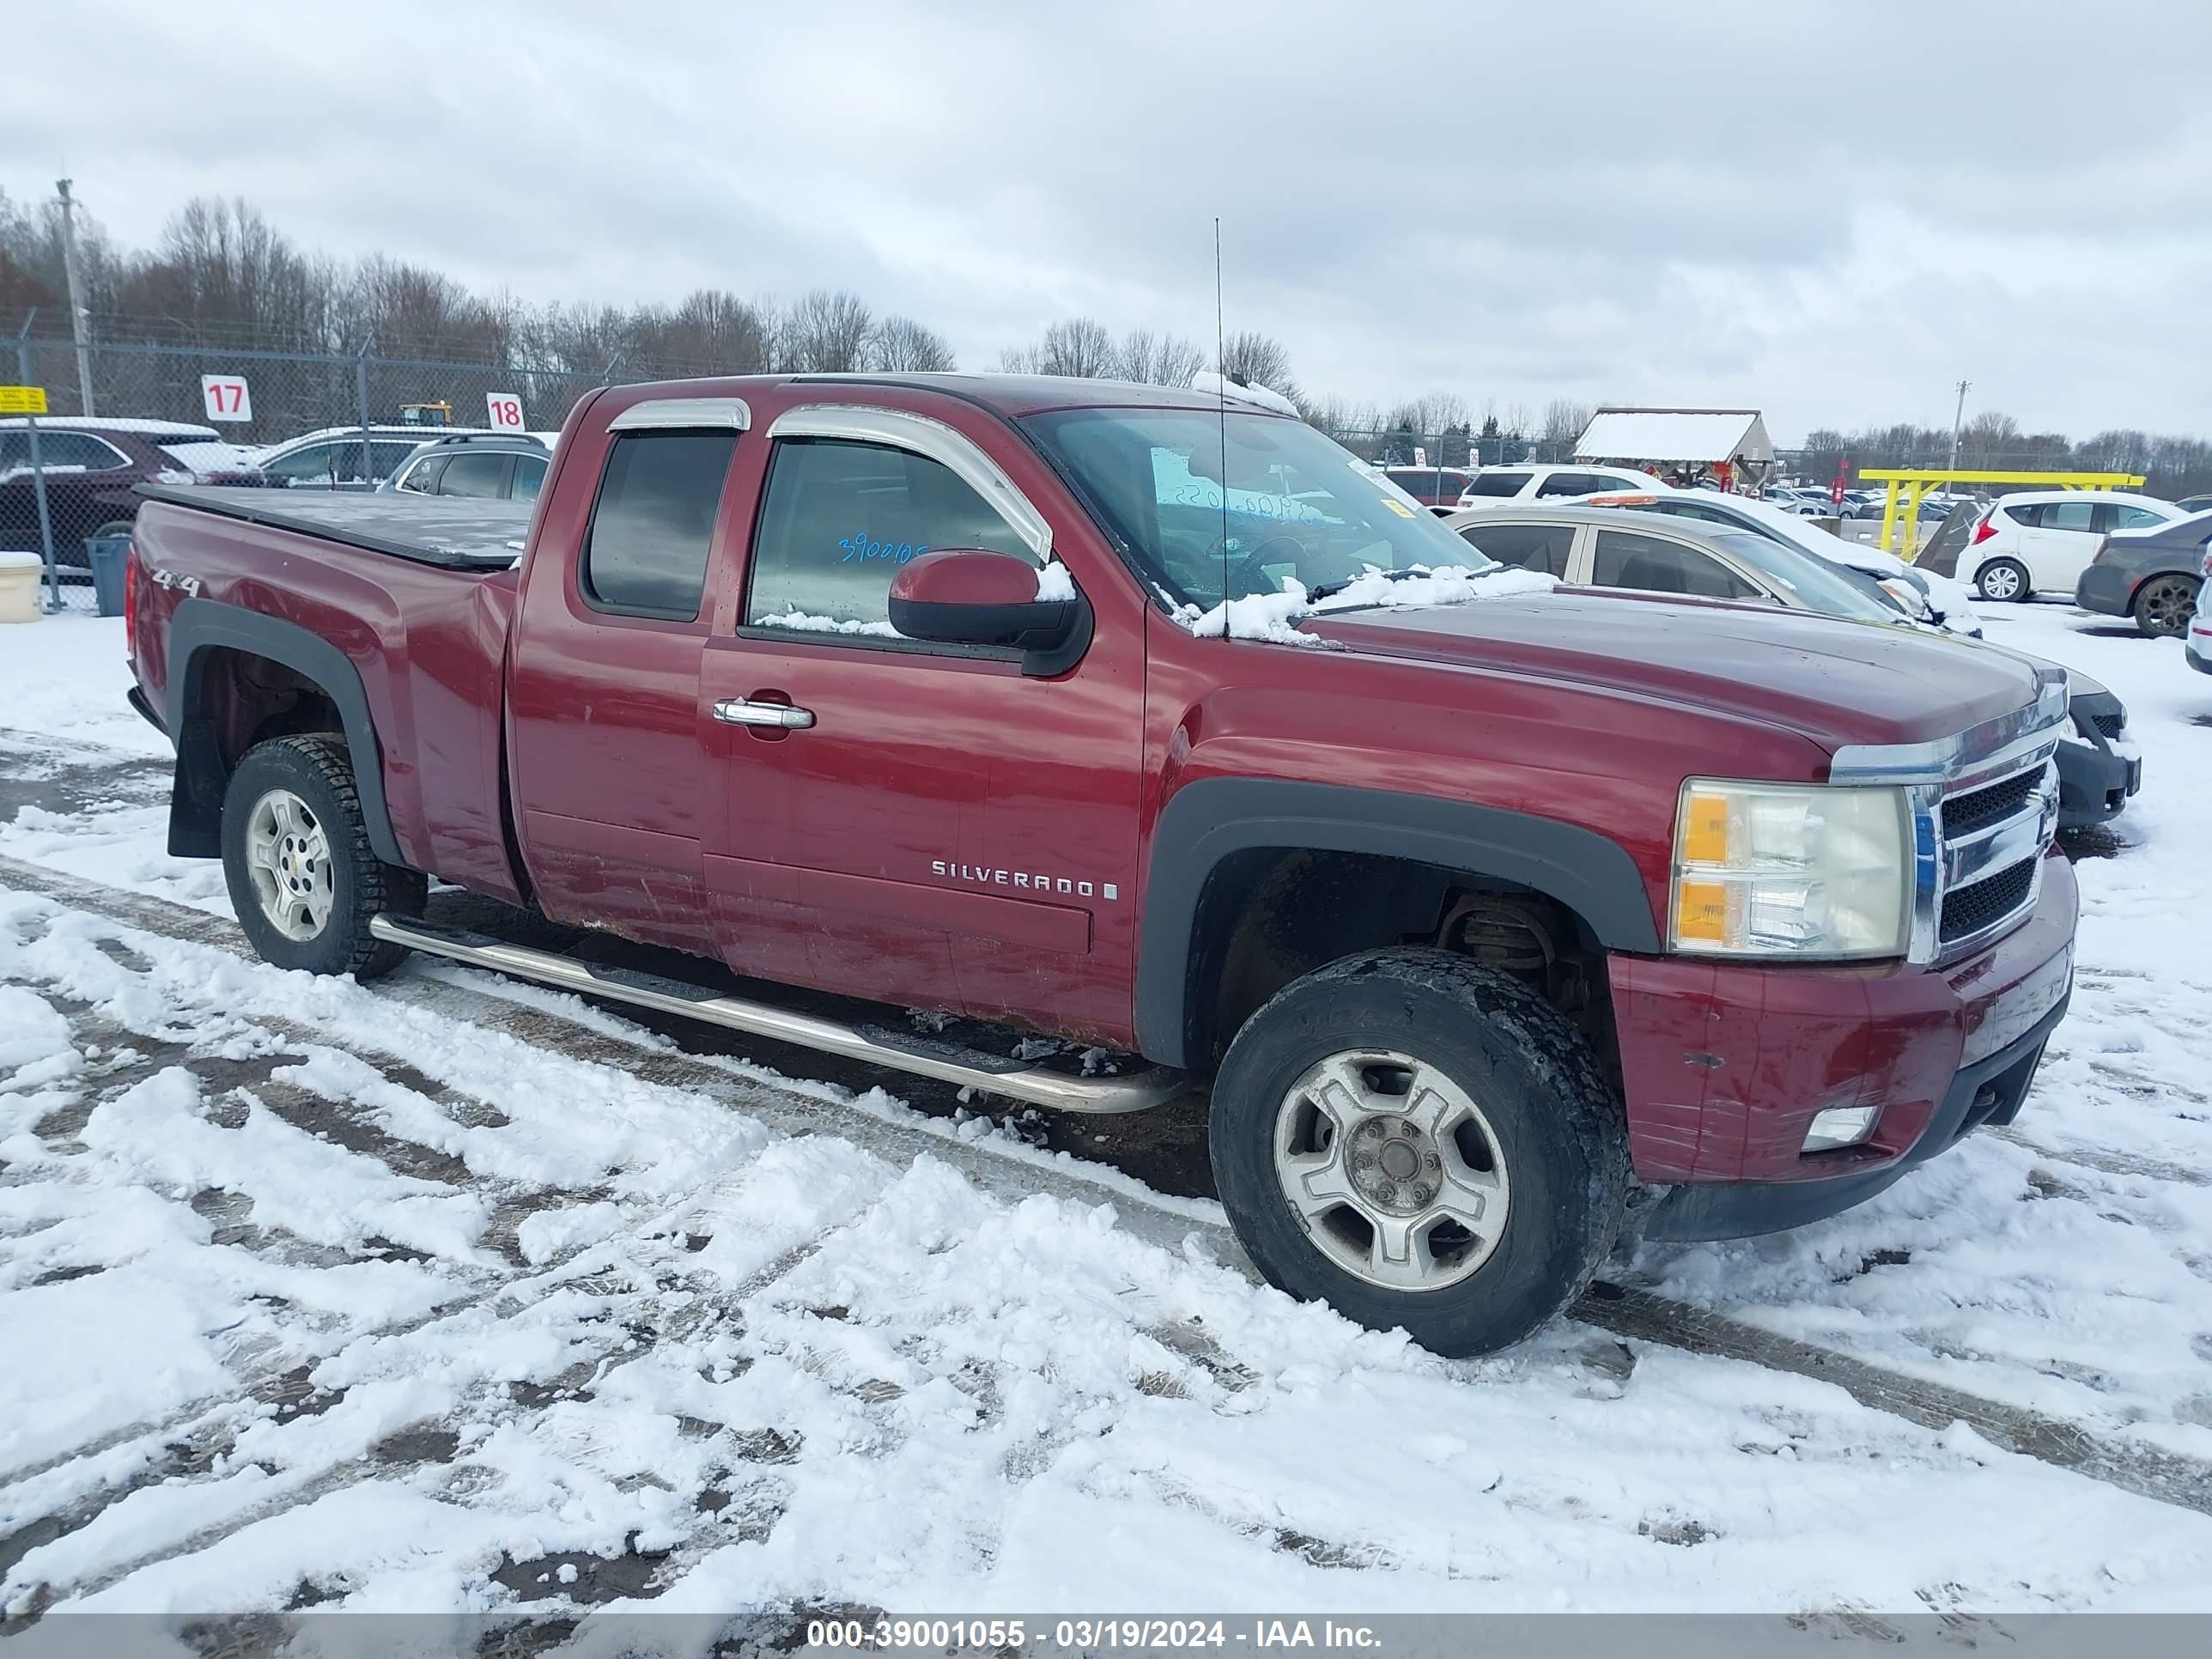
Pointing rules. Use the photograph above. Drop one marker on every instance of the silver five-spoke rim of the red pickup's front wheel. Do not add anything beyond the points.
(1392, 1169)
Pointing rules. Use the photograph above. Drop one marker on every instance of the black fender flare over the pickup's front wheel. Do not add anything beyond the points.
(1213, 820)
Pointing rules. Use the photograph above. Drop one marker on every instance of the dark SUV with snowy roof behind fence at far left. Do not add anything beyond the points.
(94, 468)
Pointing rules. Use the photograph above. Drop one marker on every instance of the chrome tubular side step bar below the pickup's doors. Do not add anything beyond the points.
(875, 1045)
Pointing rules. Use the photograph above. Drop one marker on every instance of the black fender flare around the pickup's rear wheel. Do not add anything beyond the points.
(198, 797)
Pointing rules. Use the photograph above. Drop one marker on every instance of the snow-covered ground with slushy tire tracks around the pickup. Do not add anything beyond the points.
(444, 1295)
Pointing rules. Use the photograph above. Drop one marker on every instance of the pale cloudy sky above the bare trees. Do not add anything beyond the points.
(1826, 211)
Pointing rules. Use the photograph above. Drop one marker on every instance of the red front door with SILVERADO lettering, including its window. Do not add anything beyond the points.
(935, 828)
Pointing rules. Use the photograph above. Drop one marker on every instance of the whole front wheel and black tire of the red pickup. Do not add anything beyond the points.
(1421, 1142)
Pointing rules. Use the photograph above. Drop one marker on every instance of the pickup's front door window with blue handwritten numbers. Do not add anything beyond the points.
(837, 523)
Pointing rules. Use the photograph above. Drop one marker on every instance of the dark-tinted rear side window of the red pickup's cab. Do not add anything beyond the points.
(656, 521)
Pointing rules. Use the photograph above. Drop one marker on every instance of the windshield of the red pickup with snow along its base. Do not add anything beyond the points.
(1288, 505)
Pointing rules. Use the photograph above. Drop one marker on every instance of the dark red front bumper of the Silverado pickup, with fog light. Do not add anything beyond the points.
(1724, 1065)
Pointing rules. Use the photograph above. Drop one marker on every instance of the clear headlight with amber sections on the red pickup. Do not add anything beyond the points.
(1791, 870)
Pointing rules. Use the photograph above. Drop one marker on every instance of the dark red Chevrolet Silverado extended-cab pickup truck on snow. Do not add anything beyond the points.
(1145, 720)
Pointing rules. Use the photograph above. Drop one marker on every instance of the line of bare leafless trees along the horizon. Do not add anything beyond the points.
(222, 275)
